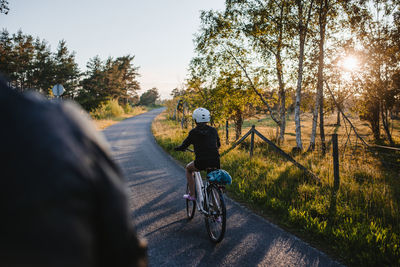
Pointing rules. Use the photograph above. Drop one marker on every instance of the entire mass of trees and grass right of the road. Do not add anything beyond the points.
(301, 71)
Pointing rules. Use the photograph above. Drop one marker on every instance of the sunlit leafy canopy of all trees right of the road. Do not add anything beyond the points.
(285, 50)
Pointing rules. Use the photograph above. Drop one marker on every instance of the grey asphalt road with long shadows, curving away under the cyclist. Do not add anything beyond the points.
(156, 185)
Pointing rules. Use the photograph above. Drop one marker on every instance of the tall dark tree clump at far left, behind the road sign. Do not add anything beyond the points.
(28, 63)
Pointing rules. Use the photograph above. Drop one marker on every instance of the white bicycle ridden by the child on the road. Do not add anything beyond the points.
(209, 202)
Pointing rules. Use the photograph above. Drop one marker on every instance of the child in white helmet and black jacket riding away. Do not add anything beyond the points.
(206, 143)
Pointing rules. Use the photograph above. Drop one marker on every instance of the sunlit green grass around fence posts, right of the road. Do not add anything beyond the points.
(364, 227)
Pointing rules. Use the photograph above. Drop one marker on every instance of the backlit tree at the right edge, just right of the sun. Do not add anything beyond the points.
(375, 25)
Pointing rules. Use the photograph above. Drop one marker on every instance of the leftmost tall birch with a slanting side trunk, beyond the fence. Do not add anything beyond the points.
(262, 26)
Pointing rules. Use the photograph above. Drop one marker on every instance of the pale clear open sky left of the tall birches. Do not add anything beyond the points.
(159, 33)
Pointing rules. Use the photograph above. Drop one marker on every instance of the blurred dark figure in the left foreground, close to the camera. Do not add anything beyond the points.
(62, 199)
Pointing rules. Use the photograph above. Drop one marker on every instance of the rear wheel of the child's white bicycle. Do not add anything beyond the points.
(216, 218)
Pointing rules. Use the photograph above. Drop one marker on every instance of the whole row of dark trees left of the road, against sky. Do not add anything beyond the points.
(29, 63)
